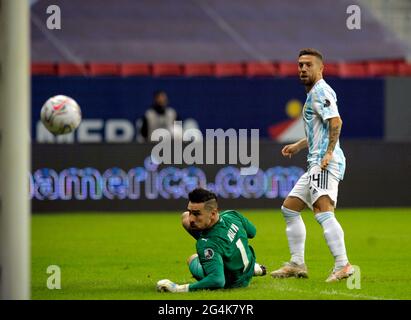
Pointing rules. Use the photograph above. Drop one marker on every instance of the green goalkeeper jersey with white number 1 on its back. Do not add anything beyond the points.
(224, 253)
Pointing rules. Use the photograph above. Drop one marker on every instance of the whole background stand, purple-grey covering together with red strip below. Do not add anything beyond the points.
(212, 38)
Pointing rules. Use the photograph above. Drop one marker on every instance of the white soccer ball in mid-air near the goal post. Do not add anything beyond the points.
(60, 115)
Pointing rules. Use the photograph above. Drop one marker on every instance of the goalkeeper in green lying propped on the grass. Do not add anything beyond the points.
(224, 259)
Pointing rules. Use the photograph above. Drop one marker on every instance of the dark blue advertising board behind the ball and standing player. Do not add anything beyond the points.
(111, 106)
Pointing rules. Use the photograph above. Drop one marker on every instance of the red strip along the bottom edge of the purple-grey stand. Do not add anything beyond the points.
(363, 69)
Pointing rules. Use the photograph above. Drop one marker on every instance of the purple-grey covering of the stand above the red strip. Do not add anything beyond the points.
(200, 31)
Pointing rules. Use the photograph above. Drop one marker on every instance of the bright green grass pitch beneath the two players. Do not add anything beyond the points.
(123, 255)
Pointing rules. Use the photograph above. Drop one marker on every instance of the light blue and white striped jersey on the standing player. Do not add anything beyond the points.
(321, 105)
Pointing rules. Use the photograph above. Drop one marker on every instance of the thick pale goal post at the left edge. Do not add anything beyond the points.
(15, 153)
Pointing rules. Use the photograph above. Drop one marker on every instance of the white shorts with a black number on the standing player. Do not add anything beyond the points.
(314, 184)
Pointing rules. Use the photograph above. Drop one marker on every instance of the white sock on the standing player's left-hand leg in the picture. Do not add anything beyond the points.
(295, 233)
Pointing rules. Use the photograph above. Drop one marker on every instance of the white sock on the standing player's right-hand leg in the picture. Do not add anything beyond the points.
(334, 235)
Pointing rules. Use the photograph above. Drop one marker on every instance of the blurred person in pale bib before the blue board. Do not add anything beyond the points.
(159, 115)
